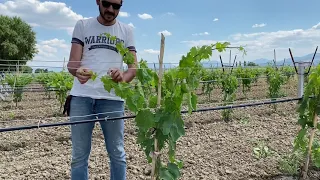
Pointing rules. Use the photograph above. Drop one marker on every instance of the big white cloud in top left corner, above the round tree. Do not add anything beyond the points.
(48, 14)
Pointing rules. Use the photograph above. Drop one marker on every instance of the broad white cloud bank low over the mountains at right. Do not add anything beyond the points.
(261, 44)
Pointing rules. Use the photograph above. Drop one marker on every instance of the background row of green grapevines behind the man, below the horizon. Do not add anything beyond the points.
(61, 82)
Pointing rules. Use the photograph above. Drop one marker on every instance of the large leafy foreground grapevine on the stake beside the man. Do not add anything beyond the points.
(160, 123)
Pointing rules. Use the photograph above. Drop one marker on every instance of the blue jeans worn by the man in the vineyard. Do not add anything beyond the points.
(86, 109)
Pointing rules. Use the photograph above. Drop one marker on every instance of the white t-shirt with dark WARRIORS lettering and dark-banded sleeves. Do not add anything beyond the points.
(99, 54)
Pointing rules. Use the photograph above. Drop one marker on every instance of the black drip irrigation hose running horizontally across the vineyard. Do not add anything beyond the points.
(133, 116)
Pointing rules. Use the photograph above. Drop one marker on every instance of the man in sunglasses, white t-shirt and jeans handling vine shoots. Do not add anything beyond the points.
(92, 52)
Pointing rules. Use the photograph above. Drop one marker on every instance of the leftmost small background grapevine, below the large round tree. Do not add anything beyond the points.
(17, 82)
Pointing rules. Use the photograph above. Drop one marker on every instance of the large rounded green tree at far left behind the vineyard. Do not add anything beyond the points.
(17, 42)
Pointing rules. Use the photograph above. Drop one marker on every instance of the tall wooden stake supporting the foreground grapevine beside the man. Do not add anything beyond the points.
(156, 147)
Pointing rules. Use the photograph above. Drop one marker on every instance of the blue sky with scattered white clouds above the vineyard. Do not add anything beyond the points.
(280, 25)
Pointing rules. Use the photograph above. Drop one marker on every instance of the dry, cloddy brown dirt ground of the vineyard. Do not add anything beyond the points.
(211, 149)
